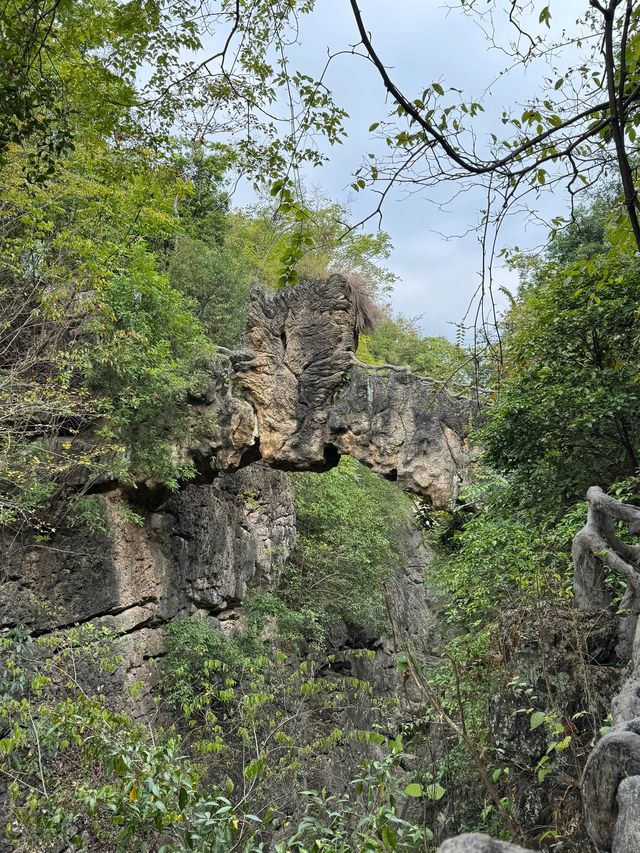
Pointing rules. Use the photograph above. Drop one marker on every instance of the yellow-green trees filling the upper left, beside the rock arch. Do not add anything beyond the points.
(119, 260)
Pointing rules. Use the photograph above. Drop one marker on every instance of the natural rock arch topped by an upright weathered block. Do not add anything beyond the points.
(297, 398)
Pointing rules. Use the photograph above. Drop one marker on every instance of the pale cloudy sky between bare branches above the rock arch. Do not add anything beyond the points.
(423, 42)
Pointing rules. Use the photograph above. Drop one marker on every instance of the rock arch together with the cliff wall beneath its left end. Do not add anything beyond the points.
(293, 397)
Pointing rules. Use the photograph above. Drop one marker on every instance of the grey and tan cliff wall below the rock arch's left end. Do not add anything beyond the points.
(197, 555)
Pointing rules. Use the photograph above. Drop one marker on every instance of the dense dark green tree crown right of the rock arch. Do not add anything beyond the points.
(566, 417)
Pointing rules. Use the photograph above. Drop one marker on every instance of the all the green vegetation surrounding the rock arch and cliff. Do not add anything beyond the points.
(124, 267)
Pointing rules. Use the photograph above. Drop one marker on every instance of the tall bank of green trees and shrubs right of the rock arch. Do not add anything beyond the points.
(564, 420)
